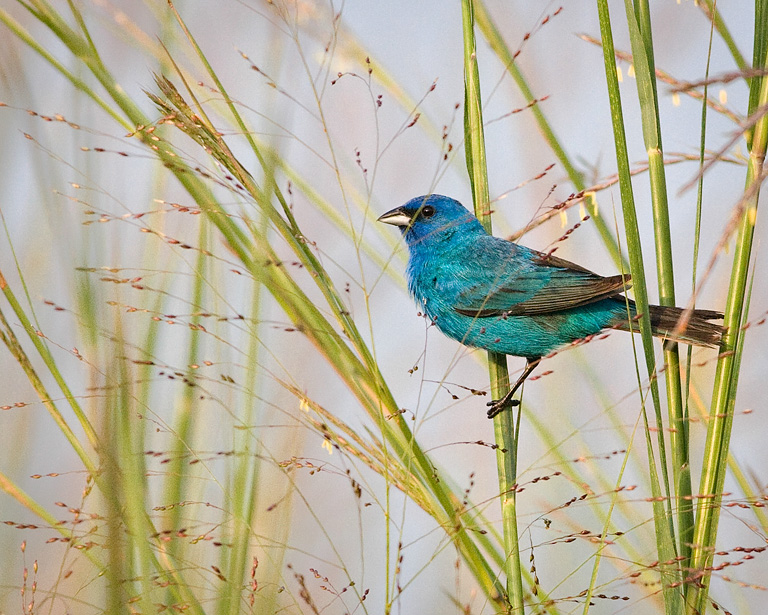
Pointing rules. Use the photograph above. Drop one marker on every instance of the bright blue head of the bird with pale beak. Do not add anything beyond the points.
(433, 218)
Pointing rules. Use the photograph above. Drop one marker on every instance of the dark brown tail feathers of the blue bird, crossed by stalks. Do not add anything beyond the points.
(696, 328)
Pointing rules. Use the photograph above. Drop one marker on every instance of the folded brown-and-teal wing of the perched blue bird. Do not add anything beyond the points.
(536, 284)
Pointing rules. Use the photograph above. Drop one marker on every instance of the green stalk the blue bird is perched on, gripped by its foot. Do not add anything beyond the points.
(505, 430)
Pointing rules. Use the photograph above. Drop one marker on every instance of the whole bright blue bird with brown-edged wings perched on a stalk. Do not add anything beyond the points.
(490, 293)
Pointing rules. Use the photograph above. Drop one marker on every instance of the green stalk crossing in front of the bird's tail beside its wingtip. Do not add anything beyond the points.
(664, 538)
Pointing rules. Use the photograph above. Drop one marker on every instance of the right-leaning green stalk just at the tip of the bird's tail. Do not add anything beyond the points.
(716, 448)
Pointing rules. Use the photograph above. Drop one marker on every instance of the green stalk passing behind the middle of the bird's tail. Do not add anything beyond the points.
(639, 20)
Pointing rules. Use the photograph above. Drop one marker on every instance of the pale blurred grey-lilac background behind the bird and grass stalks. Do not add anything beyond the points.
(103, 246)
